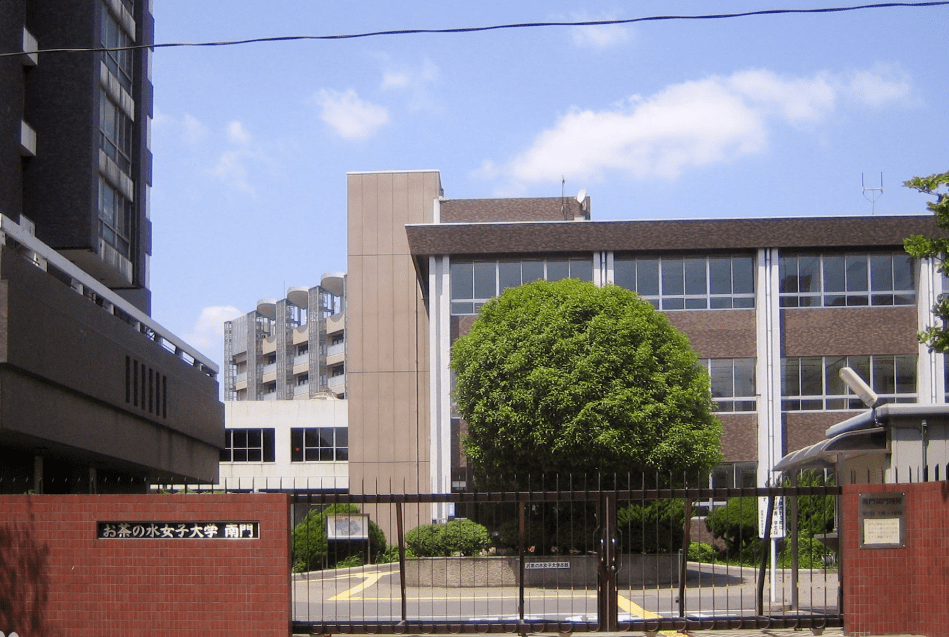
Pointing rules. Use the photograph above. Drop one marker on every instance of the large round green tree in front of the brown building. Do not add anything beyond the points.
(567, 377)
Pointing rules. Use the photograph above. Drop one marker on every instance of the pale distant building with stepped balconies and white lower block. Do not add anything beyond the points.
(286, 420)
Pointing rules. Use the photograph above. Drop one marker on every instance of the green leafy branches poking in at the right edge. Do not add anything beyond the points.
(921, 247)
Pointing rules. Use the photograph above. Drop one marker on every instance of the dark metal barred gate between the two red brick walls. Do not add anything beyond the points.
(571, 559)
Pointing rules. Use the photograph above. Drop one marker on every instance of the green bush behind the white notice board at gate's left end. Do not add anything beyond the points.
(311, 549)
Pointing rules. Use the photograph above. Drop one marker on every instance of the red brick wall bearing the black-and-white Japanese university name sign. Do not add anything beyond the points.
(57, 578)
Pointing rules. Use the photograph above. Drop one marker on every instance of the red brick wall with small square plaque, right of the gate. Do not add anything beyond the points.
(898, 591)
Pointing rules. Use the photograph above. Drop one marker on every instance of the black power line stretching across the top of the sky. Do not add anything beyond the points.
(498, 27)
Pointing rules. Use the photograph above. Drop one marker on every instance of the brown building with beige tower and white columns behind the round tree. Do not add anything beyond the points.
(773, 306)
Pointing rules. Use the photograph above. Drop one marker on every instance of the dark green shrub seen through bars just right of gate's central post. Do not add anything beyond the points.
(652, 527)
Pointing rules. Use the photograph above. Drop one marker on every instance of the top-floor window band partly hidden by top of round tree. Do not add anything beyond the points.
(474, 282)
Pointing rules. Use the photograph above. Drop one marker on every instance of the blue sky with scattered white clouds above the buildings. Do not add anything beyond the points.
(759, 116)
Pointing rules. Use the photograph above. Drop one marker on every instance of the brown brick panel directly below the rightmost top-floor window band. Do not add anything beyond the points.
(849, 330)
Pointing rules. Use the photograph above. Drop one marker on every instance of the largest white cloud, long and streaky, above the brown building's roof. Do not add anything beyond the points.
(695, 123)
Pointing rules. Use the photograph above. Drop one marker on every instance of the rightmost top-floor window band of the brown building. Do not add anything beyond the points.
(847, 280)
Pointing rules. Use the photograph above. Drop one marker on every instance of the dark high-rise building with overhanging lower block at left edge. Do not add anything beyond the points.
(94, 395)
